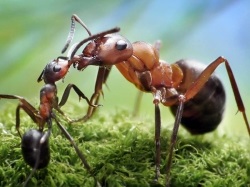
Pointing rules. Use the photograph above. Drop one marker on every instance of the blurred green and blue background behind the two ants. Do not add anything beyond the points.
(33, 32)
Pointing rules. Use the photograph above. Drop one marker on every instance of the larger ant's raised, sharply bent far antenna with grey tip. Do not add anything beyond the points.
(74, 19)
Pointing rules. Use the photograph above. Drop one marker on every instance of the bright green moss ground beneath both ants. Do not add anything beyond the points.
(120, 150)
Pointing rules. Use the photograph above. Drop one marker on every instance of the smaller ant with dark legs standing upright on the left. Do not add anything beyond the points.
(35, 143)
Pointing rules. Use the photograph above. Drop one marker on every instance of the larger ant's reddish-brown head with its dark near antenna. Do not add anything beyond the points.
(105, 48)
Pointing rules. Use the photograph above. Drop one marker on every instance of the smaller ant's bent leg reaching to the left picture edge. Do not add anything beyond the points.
(27, 107)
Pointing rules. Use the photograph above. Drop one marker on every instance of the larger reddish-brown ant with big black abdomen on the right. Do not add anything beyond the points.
(194, 94)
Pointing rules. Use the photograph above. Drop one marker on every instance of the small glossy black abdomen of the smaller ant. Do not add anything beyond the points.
(35, 153)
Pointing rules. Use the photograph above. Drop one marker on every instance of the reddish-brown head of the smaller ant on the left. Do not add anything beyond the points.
(55, 70)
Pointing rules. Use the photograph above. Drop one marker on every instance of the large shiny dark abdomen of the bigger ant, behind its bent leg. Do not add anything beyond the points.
(204, 112)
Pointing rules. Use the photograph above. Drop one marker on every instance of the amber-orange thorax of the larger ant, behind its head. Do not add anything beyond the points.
(147, 72)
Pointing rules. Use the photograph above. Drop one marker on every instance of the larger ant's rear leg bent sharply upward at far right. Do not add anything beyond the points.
(204, 76)
